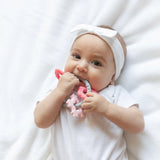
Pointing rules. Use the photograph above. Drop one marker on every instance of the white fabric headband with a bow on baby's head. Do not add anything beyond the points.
(110, 37)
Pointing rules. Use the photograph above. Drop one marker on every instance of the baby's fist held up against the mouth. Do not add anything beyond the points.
(67, 83)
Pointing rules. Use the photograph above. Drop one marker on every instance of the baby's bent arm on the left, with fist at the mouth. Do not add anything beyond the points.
(48, 109)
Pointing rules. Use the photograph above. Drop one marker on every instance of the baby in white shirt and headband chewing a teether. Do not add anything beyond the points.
(97, 55)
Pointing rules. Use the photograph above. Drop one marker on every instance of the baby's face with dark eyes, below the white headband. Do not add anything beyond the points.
(92, 59)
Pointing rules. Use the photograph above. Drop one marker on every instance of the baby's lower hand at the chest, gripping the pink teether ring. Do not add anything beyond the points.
(95, 103)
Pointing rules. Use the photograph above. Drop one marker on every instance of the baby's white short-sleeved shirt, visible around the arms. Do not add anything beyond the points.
(93, 137)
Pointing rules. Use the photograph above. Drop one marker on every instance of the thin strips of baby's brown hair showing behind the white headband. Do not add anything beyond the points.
(119, 37)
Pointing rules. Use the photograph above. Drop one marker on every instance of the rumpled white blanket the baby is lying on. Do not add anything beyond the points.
(34, 40)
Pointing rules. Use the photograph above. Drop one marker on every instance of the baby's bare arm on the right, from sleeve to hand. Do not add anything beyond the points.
(129, 119)
